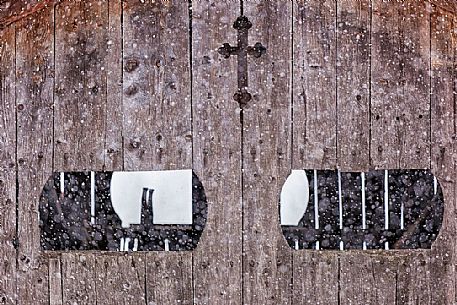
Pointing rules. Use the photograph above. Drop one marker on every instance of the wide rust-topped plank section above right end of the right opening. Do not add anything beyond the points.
(400, 105)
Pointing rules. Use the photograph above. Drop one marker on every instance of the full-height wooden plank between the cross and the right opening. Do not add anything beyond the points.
(267, 155)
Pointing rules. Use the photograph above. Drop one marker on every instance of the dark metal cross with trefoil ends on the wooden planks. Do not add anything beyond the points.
(242, 24)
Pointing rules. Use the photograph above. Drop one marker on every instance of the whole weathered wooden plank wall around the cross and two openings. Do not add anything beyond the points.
(139, 85)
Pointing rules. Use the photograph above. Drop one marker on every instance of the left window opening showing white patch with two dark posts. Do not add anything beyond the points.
(122, 211)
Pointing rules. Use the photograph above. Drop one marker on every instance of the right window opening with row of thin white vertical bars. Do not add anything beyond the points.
(380, 209)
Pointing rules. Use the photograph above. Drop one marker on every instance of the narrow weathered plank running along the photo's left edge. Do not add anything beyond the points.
(7, 166)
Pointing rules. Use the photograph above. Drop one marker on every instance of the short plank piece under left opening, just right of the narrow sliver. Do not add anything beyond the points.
(78, 278)
